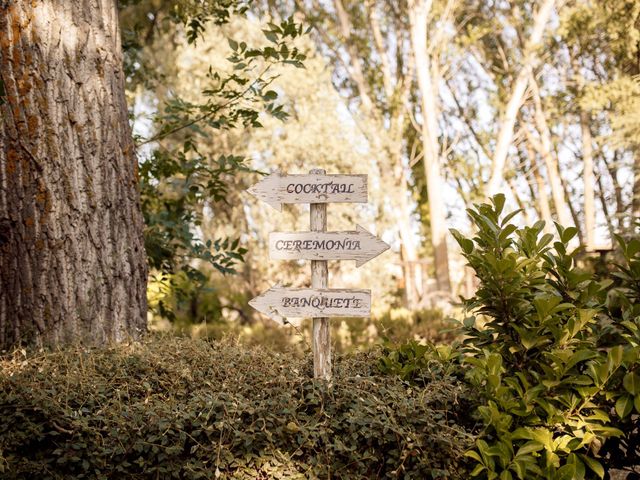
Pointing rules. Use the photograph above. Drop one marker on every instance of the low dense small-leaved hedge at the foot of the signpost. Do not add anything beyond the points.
(179, 408)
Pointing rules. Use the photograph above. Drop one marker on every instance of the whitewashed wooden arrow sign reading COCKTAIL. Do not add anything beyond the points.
(279, 188)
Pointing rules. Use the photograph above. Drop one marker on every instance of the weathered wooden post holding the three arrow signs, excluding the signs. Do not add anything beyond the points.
(319, 279)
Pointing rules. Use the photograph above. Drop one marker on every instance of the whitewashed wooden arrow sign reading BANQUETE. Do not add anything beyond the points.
(280, 303)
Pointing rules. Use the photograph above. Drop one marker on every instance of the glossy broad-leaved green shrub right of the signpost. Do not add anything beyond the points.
(553, 352)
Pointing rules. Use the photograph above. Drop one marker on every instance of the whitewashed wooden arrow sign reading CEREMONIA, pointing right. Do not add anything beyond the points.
(358, 245)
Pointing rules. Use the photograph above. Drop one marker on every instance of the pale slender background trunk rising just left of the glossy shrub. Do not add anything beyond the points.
(419, 16)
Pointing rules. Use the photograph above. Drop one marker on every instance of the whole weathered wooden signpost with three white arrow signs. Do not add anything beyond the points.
(318, 302)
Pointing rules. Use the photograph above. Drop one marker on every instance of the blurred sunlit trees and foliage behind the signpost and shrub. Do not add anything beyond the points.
(440, 103)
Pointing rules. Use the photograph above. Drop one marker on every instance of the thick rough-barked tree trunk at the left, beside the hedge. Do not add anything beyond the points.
(72, 261)
